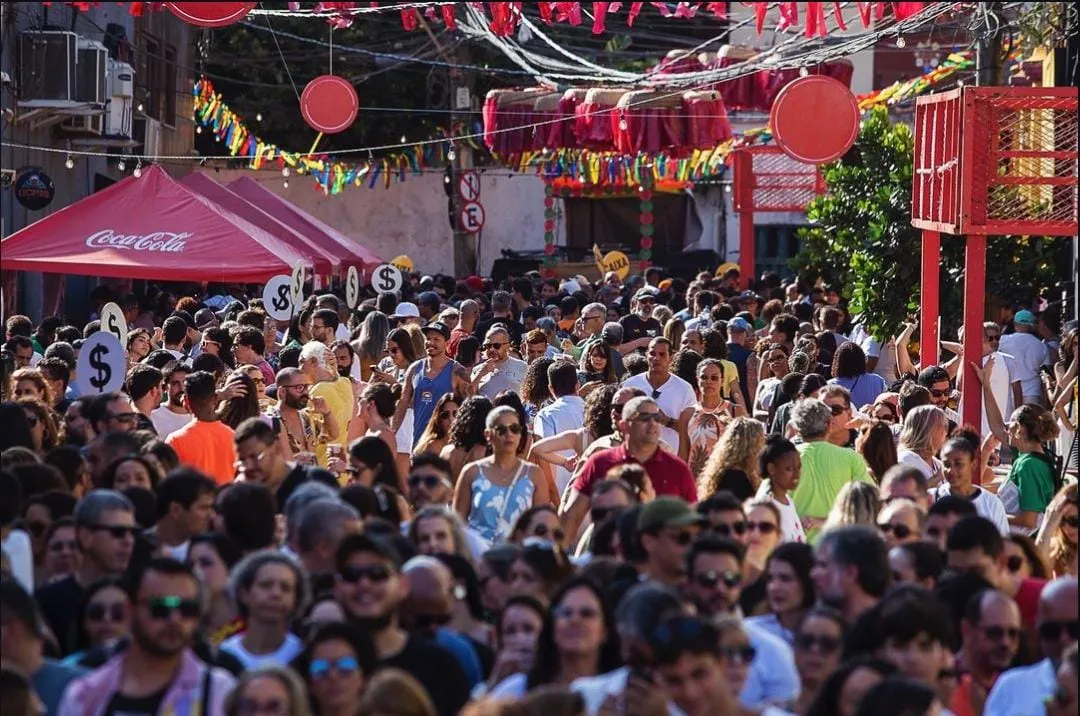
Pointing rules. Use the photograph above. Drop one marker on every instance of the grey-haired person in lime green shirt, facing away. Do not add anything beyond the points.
(827, 468)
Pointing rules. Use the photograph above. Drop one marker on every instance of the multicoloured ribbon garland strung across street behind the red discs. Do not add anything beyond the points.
(570, 167)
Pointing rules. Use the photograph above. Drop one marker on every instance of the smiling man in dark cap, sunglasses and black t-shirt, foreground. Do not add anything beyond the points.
(370, 588)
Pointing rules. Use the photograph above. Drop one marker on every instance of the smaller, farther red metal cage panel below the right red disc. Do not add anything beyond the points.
(766, 180)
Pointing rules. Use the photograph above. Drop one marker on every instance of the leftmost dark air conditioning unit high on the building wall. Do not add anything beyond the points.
(48, 66)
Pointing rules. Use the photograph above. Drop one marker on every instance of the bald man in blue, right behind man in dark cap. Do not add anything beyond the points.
(428, 610)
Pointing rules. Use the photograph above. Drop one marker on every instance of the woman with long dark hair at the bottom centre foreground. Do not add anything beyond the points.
(578, 640)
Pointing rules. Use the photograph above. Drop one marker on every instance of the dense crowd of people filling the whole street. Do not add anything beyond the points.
(637, 497)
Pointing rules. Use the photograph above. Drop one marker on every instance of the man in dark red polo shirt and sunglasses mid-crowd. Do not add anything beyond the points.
(641, 428)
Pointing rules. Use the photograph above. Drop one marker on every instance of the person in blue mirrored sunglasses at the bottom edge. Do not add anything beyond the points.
(335, 666)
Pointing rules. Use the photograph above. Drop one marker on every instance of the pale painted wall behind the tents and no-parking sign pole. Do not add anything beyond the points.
(411, 218)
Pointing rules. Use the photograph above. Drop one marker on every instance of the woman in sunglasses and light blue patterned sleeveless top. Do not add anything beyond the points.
(494, 492)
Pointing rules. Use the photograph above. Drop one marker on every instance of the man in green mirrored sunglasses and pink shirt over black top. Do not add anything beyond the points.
(158, 673)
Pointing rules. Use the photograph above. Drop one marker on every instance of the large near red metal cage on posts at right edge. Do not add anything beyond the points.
(996, 161)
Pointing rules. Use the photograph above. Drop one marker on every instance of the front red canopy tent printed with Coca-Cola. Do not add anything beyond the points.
(150, 227)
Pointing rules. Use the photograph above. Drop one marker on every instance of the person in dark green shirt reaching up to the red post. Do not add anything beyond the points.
(1030, 429)
